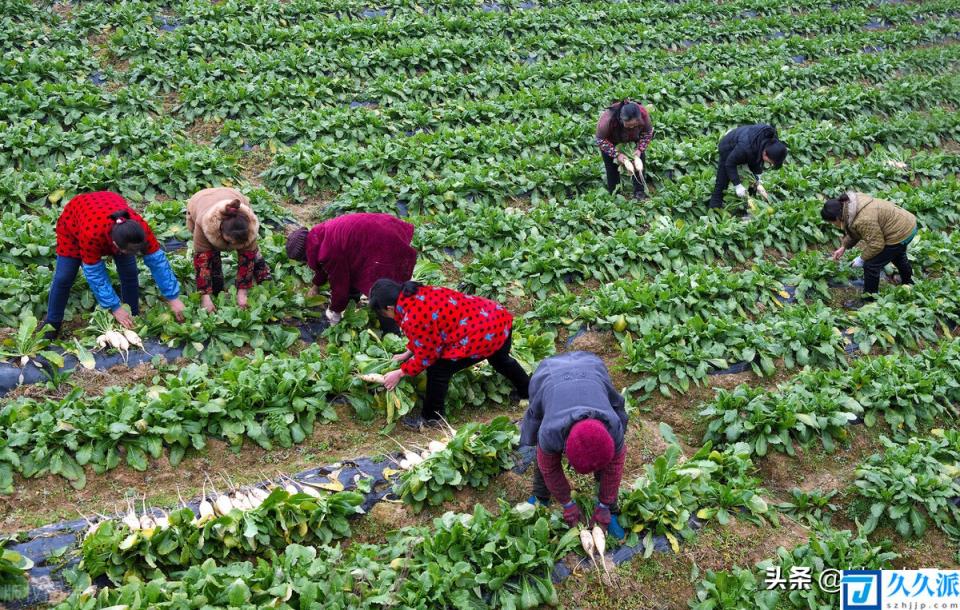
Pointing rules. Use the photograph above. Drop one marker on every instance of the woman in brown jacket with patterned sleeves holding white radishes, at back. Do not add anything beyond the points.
(623, 122)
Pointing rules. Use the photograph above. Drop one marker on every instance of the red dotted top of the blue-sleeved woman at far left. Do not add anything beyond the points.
(83, 230)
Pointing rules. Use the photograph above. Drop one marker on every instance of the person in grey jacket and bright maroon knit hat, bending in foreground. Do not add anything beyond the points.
(575, 411)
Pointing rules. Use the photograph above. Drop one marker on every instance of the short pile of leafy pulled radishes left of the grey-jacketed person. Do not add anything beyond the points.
(470, 458)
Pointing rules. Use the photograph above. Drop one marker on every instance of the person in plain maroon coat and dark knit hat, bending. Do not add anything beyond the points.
(353, 251)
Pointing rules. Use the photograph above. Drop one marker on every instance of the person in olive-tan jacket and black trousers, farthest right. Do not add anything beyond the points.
(882, 231)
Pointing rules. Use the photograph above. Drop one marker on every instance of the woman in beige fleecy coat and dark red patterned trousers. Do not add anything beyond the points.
(222, 220)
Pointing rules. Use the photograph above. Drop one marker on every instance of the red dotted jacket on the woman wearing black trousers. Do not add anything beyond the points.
(443, 323)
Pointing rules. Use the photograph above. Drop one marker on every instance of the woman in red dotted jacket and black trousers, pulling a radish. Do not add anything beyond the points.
(446, 332)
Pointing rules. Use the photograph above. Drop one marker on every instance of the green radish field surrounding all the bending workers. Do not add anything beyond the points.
(770, 426)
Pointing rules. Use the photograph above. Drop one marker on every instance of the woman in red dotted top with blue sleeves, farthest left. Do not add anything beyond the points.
(94, 225)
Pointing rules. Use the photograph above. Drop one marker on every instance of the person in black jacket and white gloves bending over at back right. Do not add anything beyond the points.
(755, 146)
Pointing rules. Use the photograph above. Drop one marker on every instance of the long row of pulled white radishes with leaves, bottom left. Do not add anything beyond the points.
(124, 548)
